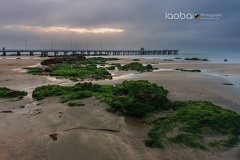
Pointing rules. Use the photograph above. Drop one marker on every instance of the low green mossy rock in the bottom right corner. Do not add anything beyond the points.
(195, 119)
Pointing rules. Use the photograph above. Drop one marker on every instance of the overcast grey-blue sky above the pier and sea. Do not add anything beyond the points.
(121, 24)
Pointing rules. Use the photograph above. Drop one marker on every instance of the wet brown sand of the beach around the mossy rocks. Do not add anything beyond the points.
(90, 132)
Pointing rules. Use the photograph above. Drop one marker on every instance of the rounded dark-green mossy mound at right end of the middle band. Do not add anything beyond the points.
(139, 98)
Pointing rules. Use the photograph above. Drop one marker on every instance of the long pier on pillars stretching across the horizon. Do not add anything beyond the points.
(57, 52)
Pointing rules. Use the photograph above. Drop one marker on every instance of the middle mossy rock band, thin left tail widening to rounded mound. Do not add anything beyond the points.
(134, 98)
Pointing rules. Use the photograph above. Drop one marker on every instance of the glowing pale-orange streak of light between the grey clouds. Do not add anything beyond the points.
(64, 29)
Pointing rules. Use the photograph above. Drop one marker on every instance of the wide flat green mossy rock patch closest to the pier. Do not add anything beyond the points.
(74, 68)
